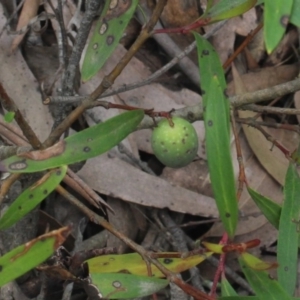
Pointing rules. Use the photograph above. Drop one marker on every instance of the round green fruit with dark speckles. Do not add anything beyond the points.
(175, 146)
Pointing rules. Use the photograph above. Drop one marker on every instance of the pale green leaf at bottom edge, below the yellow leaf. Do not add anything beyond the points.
(124, 286)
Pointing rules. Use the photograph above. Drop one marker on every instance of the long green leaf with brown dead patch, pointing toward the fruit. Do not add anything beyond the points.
(83, 145)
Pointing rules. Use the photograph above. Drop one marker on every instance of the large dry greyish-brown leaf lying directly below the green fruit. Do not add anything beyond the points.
(116, 178)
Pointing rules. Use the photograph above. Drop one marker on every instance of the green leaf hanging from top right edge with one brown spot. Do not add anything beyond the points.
(276, 18)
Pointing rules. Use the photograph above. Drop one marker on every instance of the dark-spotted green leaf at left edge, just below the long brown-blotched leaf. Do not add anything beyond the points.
(32, 196)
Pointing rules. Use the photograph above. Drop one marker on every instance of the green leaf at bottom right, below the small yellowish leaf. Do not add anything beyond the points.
(264, 286)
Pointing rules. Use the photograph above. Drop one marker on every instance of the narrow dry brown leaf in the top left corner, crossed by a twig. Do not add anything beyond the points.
(29, 11)
